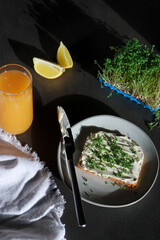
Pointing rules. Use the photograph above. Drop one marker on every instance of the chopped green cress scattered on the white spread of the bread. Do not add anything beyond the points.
(107, 153)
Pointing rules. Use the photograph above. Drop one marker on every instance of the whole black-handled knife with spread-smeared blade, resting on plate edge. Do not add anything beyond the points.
(70, 149)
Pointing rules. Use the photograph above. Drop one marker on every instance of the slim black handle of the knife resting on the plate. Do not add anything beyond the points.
(76, 196)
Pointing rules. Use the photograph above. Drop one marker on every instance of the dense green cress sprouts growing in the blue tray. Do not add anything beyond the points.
(135, 70)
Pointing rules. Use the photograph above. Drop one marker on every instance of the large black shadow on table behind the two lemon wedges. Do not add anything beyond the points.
(87, 39)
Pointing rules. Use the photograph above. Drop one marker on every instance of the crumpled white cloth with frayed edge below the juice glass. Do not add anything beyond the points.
(30, 203)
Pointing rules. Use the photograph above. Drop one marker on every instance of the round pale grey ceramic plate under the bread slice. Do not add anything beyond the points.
(94, 189)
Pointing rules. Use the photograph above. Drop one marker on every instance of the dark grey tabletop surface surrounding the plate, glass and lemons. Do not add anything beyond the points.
(34, 29)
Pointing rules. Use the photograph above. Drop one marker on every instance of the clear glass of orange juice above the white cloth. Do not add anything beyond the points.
(16, 99)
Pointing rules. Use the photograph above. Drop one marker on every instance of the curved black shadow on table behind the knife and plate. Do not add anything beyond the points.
(45, 130)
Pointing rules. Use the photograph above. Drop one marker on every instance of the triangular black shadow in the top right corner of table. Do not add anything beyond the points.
(147, 17)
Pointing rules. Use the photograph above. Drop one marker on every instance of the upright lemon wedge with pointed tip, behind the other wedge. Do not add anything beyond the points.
(63, 56)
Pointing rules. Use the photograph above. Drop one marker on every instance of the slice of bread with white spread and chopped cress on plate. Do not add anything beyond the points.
(114, 157)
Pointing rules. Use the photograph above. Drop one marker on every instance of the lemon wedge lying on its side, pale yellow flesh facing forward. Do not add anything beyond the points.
(47, 69)
